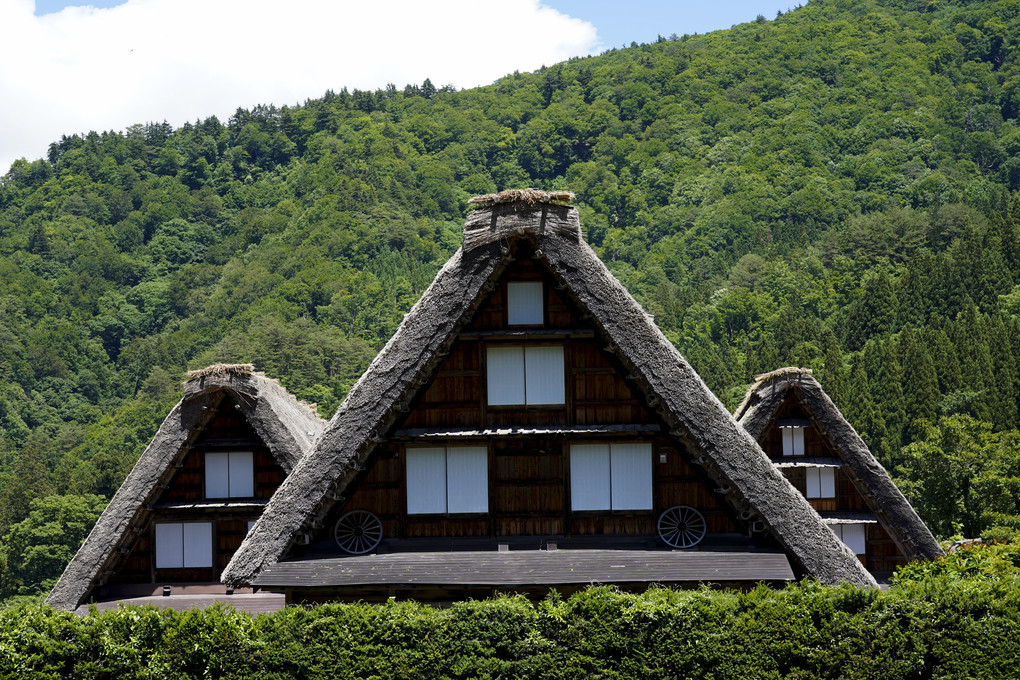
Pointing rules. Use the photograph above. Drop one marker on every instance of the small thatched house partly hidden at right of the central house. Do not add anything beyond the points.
(807, 438)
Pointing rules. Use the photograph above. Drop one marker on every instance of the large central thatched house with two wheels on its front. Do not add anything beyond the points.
(528, 369)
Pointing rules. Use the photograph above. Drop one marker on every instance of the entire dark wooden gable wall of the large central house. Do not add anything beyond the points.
(529, 474)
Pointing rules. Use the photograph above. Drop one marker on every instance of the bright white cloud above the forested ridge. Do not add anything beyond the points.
(85, 69)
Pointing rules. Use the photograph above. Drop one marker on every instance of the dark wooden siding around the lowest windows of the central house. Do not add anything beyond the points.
(530, 495)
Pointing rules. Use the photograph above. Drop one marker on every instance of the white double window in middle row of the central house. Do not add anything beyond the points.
(532, 376)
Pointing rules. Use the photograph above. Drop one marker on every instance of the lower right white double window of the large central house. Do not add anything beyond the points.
(611, 477)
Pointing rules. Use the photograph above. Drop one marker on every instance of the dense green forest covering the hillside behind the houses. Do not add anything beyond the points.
(838, 187)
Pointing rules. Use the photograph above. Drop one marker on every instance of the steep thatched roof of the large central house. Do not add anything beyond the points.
(407, 363)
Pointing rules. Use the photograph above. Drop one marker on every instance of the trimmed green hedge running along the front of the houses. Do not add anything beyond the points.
(940, 627)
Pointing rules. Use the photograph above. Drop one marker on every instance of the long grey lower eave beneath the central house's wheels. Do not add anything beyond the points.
(524, 568)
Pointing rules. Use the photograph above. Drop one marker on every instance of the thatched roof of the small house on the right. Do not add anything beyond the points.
(887, 502)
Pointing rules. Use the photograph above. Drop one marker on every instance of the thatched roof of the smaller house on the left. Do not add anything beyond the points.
(287, 427)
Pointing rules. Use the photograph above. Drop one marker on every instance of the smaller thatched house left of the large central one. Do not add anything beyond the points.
(208, 474)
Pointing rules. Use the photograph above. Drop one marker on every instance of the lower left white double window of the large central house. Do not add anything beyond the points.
(451, 480)
